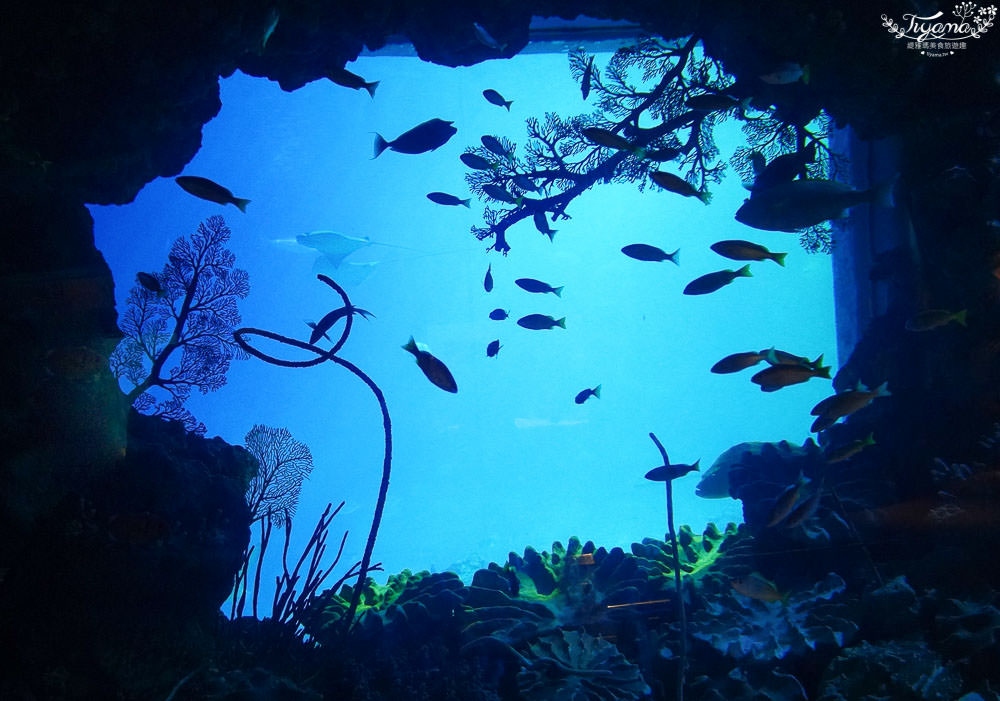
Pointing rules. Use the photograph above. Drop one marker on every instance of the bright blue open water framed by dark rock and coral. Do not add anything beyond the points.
(510, 460)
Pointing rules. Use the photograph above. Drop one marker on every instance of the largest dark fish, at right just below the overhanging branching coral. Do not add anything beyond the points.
(799, 204)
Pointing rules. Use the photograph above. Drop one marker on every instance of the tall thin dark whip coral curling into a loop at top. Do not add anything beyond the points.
(323, 356)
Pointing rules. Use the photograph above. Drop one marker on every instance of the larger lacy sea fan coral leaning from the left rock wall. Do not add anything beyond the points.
(191, 311)
